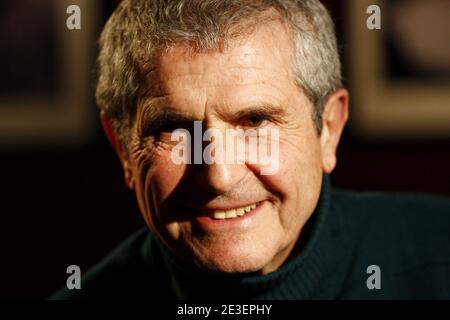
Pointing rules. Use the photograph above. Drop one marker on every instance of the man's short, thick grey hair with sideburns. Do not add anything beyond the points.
(139, 29)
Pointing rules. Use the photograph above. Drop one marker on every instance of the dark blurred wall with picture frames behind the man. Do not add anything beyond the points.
(63, 198)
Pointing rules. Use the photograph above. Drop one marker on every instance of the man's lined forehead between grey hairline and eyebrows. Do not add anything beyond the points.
(256, 64)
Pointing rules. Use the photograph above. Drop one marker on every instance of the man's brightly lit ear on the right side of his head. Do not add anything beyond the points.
(334, 117)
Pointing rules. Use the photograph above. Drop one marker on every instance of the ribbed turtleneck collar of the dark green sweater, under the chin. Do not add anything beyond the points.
(317, 272)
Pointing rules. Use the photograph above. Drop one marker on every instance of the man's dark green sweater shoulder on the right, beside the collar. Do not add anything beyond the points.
(406, 235)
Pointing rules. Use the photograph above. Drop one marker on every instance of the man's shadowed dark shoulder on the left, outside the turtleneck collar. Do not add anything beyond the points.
(124, 273)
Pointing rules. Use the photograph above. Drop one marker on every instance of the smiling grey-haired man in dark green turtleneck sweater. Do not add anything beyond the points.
(222, 229)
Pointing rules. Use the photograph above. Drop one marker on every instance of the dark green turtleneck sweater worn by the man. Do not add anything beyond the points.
(407, 236)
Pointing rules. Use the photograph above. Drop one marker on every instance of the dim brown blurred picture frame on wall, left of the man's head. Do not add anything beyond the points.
(46, 82)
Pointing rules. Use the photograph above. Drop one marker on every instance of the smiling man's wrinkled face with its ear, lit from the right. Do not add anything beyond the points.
(248, 85)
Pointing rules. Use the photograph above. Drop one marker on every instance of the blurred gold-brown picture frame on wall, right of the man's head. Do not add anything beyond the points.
(399, 75)
